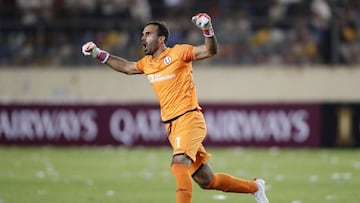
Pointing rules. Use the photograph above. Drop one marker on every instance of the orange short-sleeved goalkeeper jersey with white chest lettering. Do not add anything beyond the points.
(170, 75)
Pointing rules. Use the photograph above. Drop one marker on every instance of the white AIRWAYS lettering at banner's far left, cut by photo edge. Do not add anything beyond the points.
(26, 124)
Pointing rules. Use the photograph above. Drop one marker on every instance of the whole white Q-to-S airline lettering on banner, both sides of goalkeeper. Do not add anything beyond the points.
(223, 126)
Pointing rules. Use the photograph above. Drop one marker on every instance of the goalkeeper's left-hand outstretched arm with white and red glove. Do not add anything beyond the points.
(115, 62)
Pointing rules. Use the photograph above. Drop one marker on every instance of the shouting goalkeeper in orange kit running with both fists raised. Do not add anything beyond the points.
(169, 71)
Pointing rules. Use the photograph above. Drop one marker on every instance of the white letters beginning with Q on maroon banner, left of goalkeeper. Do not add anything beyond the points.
(128, 128)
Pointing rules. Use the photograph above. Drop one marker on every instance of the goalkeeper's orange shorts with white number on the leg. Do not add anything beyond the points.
(186, 135)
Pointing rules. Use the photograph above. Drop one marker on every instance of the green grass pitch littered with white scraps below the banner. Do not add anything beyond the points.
(142, 175)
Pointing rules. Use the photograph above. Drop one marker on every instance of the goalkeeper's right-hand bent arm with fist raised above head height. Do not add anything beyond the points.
(210, 46)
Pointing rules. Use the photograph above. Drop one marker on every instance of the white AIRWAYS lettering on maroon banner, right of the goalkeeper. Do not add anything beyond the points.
(260, 126)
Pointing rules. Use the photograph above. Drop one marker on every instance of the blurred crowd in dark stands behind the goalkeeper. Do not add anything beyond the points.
(251, 32)
